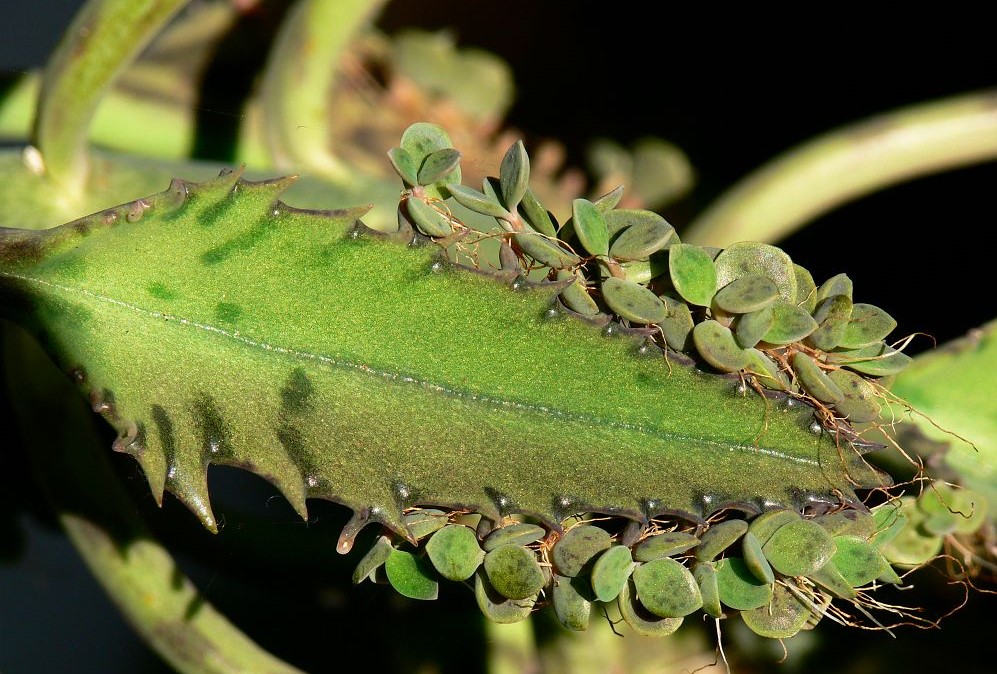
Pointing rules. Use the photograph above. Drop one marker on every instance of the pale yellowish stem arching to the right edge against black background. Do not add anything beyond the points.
(848, 163)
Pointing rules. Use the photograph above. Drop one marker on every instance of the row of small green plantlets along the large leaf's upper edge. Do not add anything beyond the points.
(746, 309)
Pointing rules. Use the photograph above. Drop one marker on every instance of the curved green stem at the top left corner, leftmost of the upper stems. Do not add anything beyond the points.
(103, 38)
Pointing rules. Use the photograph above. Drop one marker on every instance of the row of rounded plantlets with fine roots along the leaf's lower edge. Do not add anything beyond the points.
(780, 570)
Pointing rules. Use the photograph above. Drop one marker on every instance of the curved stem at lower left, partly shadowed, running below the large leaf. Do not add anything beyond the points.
(158, 600)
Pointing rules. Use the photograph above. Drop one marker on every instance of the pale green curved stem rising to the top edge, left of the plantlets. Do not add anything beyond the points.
(299, 75)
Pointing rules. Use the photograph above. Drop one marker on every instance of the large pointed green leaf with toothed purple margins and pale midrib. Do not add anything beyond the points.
(211, 323)
